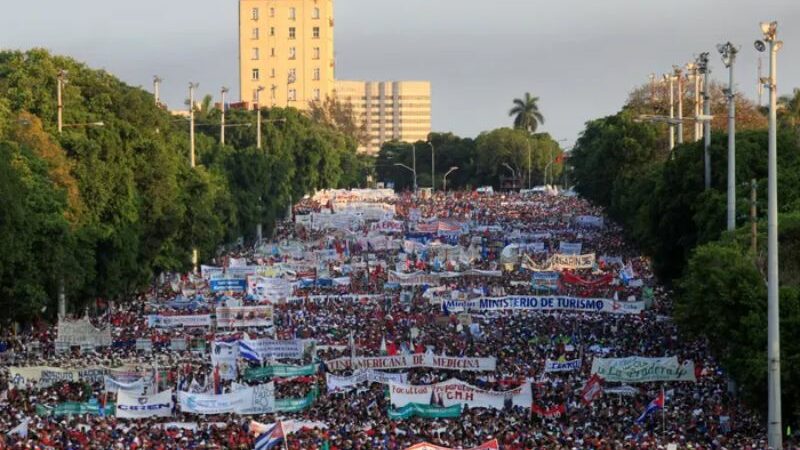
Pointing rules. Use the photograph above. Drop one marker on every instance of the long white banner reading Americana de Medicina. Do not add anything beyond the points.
(410, 361)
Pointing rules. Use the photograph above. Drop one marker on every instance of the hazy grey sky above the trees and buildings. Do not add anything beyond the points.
(581, 57)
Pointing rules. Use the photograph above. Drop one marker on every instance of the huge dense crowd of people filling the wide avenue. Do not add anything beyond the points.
(374, 276)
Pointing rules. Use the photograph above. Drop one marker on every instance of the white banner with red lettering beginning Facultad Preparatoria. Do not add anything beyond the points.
(456, 392)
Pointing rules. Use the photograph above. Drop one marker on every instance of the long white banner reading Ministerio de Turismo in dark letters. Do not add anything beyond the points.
(544, 303)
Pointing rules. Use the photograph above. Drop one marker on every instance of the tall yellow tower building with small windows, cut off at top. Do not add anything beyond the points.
(286, 48)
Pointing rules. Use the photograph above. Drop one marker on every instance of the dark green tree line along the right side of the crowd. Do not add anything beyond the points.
(719, 277)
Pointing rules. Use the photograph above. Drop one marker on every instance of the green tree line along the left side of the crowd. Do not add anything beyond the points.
(106, 209)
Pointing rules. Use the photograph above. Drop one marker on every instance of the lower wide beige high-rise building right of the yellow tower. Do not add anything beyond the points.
(390, 110)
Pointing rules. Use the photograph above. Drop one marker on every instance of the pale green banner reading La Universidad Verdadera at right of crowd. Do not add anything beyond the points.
(636, 369)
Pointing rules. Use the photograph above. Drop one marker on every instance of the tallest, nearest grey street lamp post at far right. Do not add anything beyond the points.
(773, 317)
